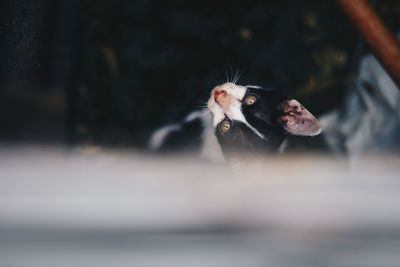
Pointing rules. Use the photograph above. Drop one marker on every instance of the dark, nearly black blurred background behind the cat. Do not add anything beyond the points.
(110, 72)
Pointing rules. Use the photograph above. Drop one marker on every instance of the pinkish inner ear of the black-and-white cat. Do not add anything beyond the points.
(296, 120)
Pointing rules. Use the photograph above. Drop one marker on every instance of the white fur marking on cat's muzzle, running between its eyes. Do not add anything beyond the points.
(233, 111)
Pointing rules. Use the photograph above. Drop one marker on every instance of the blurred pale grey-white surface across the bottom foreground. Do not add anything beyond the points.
(94, 208)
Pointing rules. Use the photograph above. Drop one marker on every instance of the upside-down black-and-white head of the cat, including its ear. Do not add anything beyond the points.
(251, 119)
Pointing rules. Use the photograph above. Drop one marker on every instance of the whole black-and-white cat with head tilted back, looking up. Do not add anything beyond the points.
(238, 120)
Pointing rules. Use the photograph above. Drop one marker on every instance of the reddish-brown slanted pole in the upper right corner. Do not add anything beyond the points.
(381, 41)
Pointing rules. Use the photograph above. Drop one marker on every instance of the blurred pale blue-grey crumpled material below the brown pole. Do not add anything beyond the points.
(370, 118)
